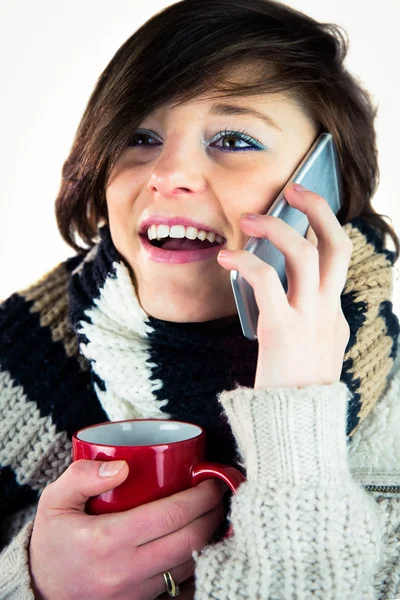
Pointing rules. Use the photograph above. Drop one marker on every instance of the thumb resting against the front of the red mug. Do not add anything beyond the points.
(83, 479)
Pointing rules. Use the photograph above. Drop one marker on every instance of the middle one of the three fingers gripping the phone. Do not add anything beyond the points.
(301, 259)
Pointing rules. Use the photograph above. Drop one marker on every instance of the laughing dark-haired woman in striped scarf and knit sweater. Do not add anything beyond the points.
(170, 137)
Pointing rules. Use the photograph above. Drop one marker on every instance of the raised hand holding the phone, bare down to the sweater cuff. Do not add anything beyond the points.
(302, 334)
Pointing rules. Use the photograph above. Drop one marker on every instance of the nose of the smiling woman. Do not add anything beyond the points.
(179, 168)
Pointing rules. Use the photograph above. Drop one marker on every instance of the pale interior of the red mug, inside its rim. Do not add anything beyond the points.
(139, 433)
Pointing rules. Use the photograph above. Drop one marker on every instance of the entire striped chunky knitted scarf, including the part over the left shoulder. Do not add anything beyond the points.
(76, 348)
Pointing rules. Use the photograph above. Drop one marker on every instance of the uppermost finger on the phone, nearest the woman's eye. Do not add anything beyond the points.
(334, 245)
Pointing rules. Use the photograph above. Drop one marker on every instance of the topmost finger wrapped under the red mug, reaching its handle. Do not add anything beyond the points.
(162, 517)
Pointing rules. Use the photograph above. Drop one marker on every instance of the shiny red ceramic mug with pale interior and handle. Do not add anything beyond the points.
(164, 457)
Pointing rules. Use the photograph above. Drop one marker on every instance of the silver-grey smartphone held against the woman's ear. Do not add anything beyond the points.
(319, 171)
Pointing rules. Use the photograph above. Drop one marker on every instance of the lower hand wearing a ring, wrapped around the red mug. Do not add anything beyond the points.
(121, 555)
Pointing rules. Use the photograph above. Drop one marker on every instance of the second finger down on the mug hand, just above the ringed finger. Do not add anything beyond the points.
(177, 548)
